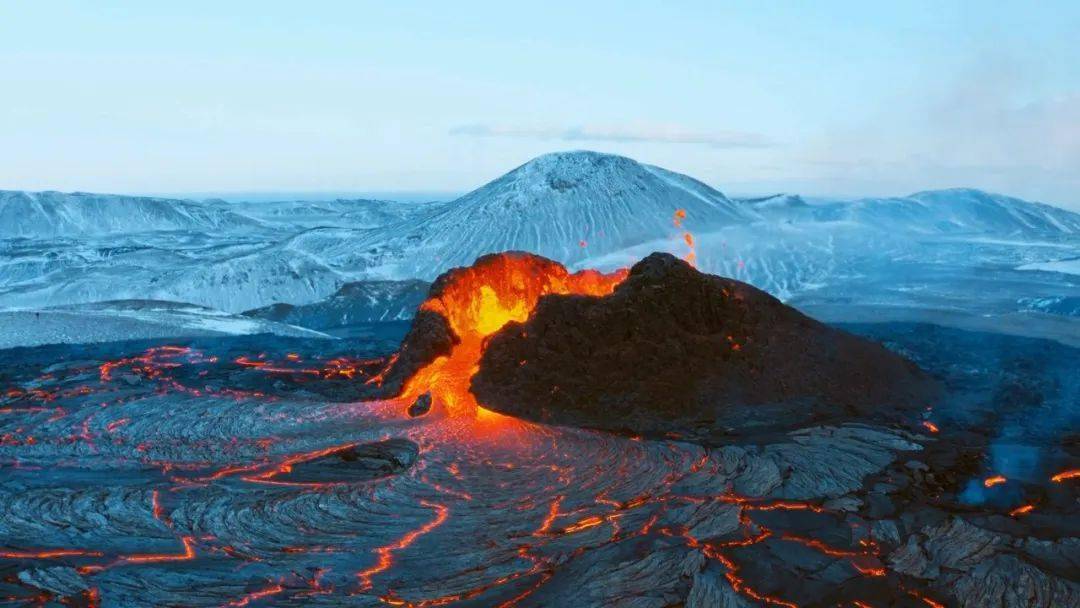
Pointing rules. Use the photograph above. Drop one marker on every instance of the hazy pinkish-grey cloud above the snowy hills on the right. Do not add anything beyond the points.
(992, 127)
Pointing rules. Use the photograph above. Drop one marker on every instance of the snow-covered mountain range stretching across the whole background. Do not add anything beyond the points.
(582, 209)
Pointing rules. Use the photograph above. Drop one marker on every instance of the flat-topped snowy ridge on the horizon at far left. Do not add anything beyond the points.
(38, 215)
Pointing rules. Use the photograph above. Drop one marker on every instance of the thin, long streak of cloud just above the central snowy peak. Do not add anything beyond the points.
(622, 136)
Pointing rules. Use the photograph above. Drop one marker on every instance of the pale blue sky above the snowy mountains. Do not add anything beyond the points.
(822, 99)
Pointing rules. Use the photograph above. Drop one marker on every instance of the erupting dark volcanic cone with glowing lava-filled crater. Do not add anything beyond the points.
(663, 349)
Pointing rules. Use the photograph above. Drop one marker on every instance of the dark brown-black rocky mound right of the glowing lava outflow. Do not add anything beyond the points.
(676, 352)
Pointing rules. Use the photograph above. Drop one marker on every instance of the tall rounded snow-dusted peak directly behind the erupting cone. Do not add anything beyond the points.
(569, 207)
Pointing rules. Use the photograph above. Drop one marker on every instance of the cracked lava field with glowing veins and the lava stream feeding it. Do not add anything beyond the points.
(140, 482)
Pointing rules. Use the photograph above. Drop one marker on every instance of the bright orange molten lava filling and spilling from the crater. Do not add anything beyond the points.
(477, 302)
